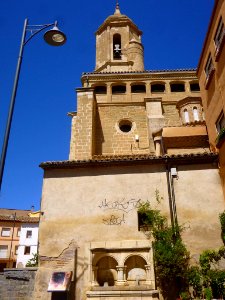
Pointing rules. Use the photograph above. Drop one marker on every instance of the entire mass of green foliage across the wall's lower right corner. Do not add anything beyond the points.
(174, 274)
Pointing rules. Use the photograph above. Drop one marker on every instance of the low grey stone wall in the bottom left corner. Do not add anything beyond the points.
(17, 284)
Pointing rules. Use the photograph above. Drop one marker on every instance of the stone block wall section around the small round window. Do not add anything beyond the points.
(111, 140)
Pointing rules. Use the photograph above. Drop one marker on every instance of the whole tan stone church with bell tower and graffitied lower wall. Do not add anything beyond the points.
(135, 132)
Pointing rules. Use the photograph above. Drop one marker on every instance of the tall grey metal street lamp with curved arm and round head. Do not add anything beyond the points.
(53, 37)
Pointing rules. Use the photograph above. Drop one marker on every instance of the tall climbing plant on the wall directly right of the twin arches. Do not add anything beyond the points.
(171, 257)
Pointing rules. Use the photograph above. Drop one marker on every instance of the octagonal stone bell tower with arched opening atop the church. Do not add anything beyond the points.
(118, 45)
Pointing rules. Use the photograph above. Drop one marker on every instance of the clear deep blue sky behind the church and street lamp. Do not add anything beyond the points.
(173, 35)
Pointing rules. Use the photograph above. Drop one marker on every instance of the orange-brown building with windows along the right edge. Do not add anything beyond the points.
(211, 73)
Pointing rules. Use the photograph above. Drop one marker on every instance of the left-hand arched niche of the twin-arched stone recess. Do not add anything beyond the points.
(106, 270)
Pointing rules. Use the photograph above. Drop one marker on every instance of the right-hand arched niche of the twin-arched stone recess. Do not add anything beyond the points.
(135, 269)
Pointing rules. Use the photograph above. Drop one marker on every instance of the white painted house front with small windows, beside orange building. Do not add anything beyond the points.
(32, 241)
